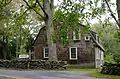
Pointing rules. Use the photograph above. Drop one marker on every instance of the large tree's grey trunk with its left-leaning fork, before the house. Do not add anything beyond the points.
(47, 7)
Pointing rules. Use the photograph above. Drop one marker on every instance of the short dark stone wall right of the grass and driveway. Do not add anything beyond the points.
(111, 68)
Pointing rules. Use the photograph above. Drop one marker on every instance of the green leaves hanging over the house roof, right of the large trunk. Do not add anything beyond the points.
(71, 13)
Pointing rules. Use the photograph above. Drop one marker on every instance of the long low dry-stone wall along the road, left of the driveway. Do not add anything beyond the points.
(33, 64)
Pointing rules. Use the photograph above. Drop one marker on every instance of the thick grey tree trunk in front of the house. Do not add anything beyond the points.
(49, 8)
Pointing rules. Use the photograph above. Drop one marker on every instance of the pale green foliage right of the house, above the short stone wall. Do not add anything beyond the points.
(110, 41)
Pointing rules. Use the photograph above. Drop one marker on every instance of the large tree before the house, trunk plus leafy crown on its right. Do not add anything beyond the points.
(73, 12)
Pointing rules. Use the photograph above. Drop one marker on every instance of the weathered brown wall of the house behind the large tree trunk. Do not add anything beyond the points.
(86, 50)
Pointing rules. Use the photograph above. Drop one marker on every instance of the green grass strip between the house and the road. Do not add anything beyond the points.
(94, 73)
